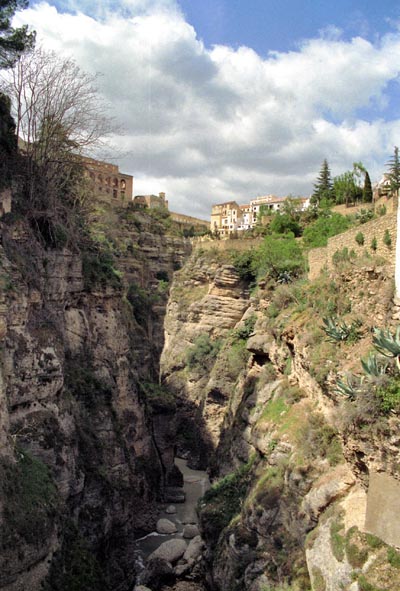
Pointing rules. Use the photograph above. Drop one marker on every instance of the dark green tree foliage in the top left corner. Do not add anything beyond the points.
(12, 41)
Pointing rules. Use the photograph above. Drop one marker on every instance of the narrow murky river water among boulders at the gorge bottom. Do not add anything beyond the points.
(195, 484)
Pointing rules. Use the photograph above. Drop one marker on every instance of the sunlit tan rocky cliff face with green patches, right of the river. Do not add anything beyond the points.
(256, 379)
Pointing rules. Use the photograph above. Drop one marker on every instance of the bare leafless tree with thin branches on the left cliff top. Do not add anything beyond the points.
(59, 117)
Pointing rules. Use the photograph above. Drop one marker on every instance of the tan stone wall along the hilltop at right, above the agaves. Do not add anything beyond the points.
(318, 258)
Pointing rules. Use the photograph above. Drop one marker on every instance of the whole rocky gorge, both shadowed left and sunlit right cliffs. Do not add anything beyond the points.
(111, 371)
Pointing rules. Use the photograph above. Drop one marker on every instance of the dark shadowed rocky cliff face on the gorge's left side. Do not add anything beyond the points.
(80, 466)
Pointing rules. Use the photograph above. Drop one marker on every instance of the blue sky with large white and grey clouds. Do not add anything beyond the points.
(221, 100)
